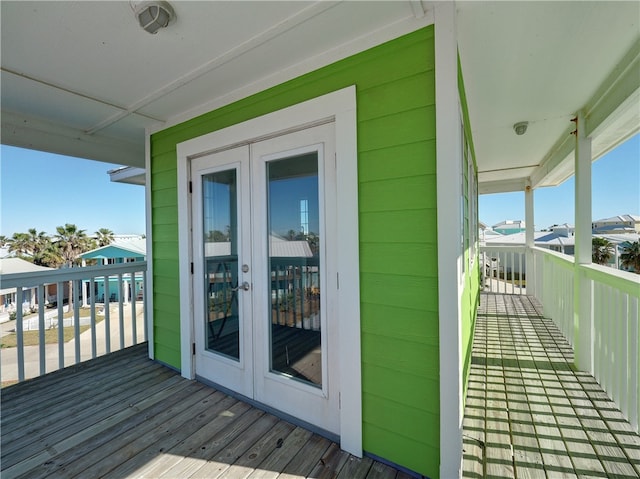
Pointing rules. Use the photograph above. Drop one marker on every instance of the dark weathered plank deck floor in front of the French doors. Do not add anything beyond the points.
(123, 416)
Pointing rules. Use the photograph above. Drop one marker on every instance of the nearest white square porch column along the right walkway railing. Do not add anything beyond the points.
(582, 306)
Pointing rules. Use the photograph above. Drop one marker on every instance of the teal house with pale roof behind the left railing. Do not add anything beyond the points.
(122, 250)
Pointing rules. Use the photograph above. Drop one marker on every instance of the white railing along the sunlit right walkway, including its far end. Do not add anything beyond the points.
(615, 303)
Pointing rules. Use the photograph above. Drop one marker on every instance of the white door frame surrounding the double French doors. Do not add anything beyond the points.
(339, 106)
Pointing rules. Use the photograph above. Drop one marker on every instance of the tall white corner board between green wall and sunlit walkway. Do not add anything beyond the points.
(449, 196)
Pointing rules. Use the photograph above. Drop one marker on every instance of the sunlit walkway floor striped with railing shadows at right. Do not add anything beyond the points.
(528, 413)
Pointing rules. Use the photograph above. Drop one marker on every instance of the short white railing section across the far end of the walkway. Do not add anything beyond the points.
(504, 269)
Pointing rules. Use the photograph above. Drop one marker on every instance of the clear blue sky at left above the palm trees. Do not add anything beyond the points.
(41, 190)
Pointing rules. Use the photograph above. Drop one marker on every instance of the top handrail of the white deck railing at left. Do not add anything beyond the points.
(14, 280)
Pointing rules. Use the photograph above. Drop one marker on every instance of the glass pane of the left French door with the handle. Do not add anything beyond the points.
(220, 231)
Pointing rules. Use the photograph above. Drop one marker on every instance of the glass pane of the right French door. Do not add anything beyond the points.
(294, 261)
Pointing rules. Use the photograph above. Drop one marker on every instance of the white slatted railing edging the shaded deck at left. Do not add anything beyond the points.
(116, 317)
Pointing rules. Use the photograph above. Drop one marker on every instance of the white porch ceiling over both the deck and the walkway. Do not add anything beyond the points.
(83, 79)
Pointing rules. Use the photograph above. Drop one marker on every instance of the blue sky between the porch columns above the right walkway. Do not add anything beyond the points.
(615, 180)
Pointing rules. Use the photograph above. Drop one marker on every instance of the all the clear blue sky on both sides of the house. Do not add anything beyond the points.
(42, 191)
